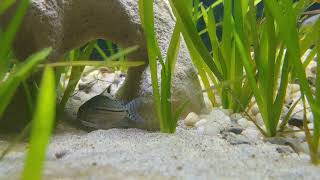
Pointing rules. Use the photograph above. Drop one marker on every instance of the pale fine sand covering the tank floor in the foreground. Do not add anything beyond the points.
(137, 154)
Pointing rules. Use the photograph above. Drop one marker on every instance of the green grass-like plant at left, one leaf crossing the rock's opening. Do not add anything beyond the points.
(15, 73)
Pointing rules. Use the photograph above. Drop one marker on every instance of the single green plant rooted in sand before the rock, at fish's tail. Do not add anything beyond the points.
(161, 93)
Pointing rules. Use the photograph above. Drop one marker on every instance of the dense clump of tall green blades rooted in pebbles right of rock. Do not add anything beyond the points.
(268, 48)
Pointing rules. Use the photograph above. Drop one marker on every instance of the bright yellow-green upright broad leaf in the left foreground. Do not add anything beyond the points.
(42, 125)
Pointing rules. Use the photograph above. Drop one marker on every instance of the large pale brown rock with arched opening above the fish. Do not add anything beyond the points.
(68, 24)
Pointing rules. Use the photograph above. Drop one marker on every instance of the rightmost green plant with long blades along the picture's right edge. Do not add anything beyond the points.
(286, 14)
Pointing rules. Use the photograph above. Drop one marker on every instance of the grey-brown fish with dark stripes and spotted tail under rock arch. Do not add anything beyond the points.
(105, 112)
